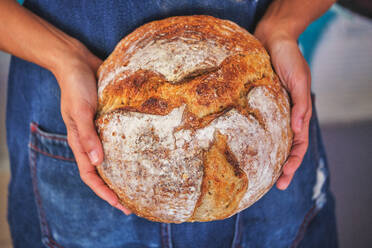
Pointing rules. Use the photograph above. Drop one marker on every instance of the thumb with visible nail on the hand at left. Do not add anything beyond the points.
(87, 134)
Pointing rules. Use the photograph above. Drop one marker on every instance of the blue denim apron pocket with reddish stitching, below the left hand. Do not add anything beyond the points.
(70, 213)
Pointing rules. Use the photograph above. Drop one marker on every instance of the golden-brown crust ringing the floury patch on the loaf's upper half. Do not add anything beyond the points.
(204, 91)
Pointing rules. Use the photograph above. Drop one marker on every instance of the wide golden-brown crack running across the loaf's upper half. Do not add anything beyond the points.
(205, 94)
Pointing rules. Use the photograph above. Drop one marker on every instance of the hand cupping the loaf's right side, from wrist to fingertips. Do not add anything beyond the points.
(294, 73)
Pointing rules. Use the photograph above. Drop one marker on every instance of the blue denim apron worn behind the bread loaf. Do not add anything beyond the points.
(49, 205)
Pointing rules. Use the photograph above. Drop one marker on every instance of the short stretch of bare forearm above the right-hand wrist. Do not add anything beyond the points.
(290, 17)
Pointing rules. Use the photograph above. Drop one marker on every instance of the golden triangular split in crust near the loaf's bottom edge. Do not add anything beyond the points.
(224, 183)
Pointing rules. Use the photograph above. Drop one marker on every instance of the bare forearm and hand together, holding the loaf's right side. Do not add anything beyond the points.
(279, 30)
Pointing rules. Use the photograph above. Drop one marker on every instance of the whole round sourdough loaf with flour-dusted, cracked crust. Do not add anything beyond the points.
(194, 122)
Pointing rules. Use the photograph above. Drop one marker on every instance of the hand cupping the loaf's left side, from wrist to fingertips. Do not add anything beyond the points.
(77, 80)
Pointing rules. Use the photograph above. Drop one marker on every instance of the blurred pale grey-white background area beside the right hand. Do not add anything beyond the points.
(342, 70)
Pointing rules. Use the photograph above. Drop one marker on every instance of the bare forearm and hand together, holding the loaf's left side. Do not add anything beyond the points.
(27, 36)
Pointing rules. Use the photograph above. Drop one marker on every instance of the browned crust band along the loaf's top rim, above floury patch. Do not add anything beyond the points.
(196, 27)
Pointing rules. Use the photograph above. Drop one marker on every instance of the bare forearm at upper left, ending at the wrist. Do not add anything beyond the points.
(27, 36)
